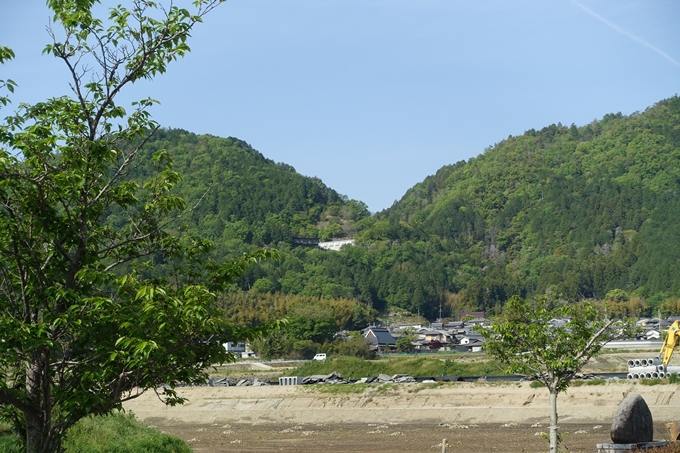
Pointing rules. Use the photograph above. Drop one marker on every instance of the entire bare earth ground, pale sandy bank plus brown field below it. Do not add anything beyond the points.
(505, 417)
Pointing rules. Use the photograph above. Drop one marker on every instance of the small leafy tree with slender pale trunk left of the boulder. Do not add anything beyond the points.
(523, 340)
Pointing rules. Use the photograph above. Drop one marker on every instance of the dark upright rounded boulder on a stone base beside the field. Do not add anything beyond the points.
(632, 421)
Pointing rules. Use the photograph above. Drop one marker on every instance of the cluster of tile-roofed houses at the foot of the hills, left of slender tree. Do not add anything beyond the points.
(459, 336)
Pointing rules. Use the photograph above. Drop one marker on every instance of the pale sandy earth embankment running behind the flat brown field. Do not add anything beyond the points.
(407, 403)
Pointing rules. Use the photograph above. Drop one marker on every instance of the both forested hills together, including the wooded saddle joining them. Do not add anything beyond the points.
(574, 211)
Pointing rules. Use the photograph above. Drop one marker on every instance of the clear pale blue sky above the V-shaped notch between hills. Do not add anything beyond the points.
(372, 96)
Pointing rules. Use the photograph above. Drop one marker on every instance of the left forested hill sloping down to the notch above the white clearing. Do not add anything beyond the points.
(240, 198)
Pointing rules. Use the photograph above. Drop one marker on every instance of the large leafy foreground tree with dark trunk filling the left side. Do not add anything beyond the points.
(84, 327)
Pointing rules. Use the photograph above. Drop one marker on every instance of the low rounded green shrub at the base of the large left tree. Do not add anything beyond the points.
(119, 433)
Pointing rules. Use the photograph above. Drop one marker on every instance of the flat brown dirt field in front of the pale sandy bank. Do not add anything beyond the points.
(381, 438)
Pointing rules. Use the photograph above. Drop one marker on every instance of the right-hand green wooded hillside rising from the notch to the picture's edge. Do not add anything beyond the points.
(577, 211)
